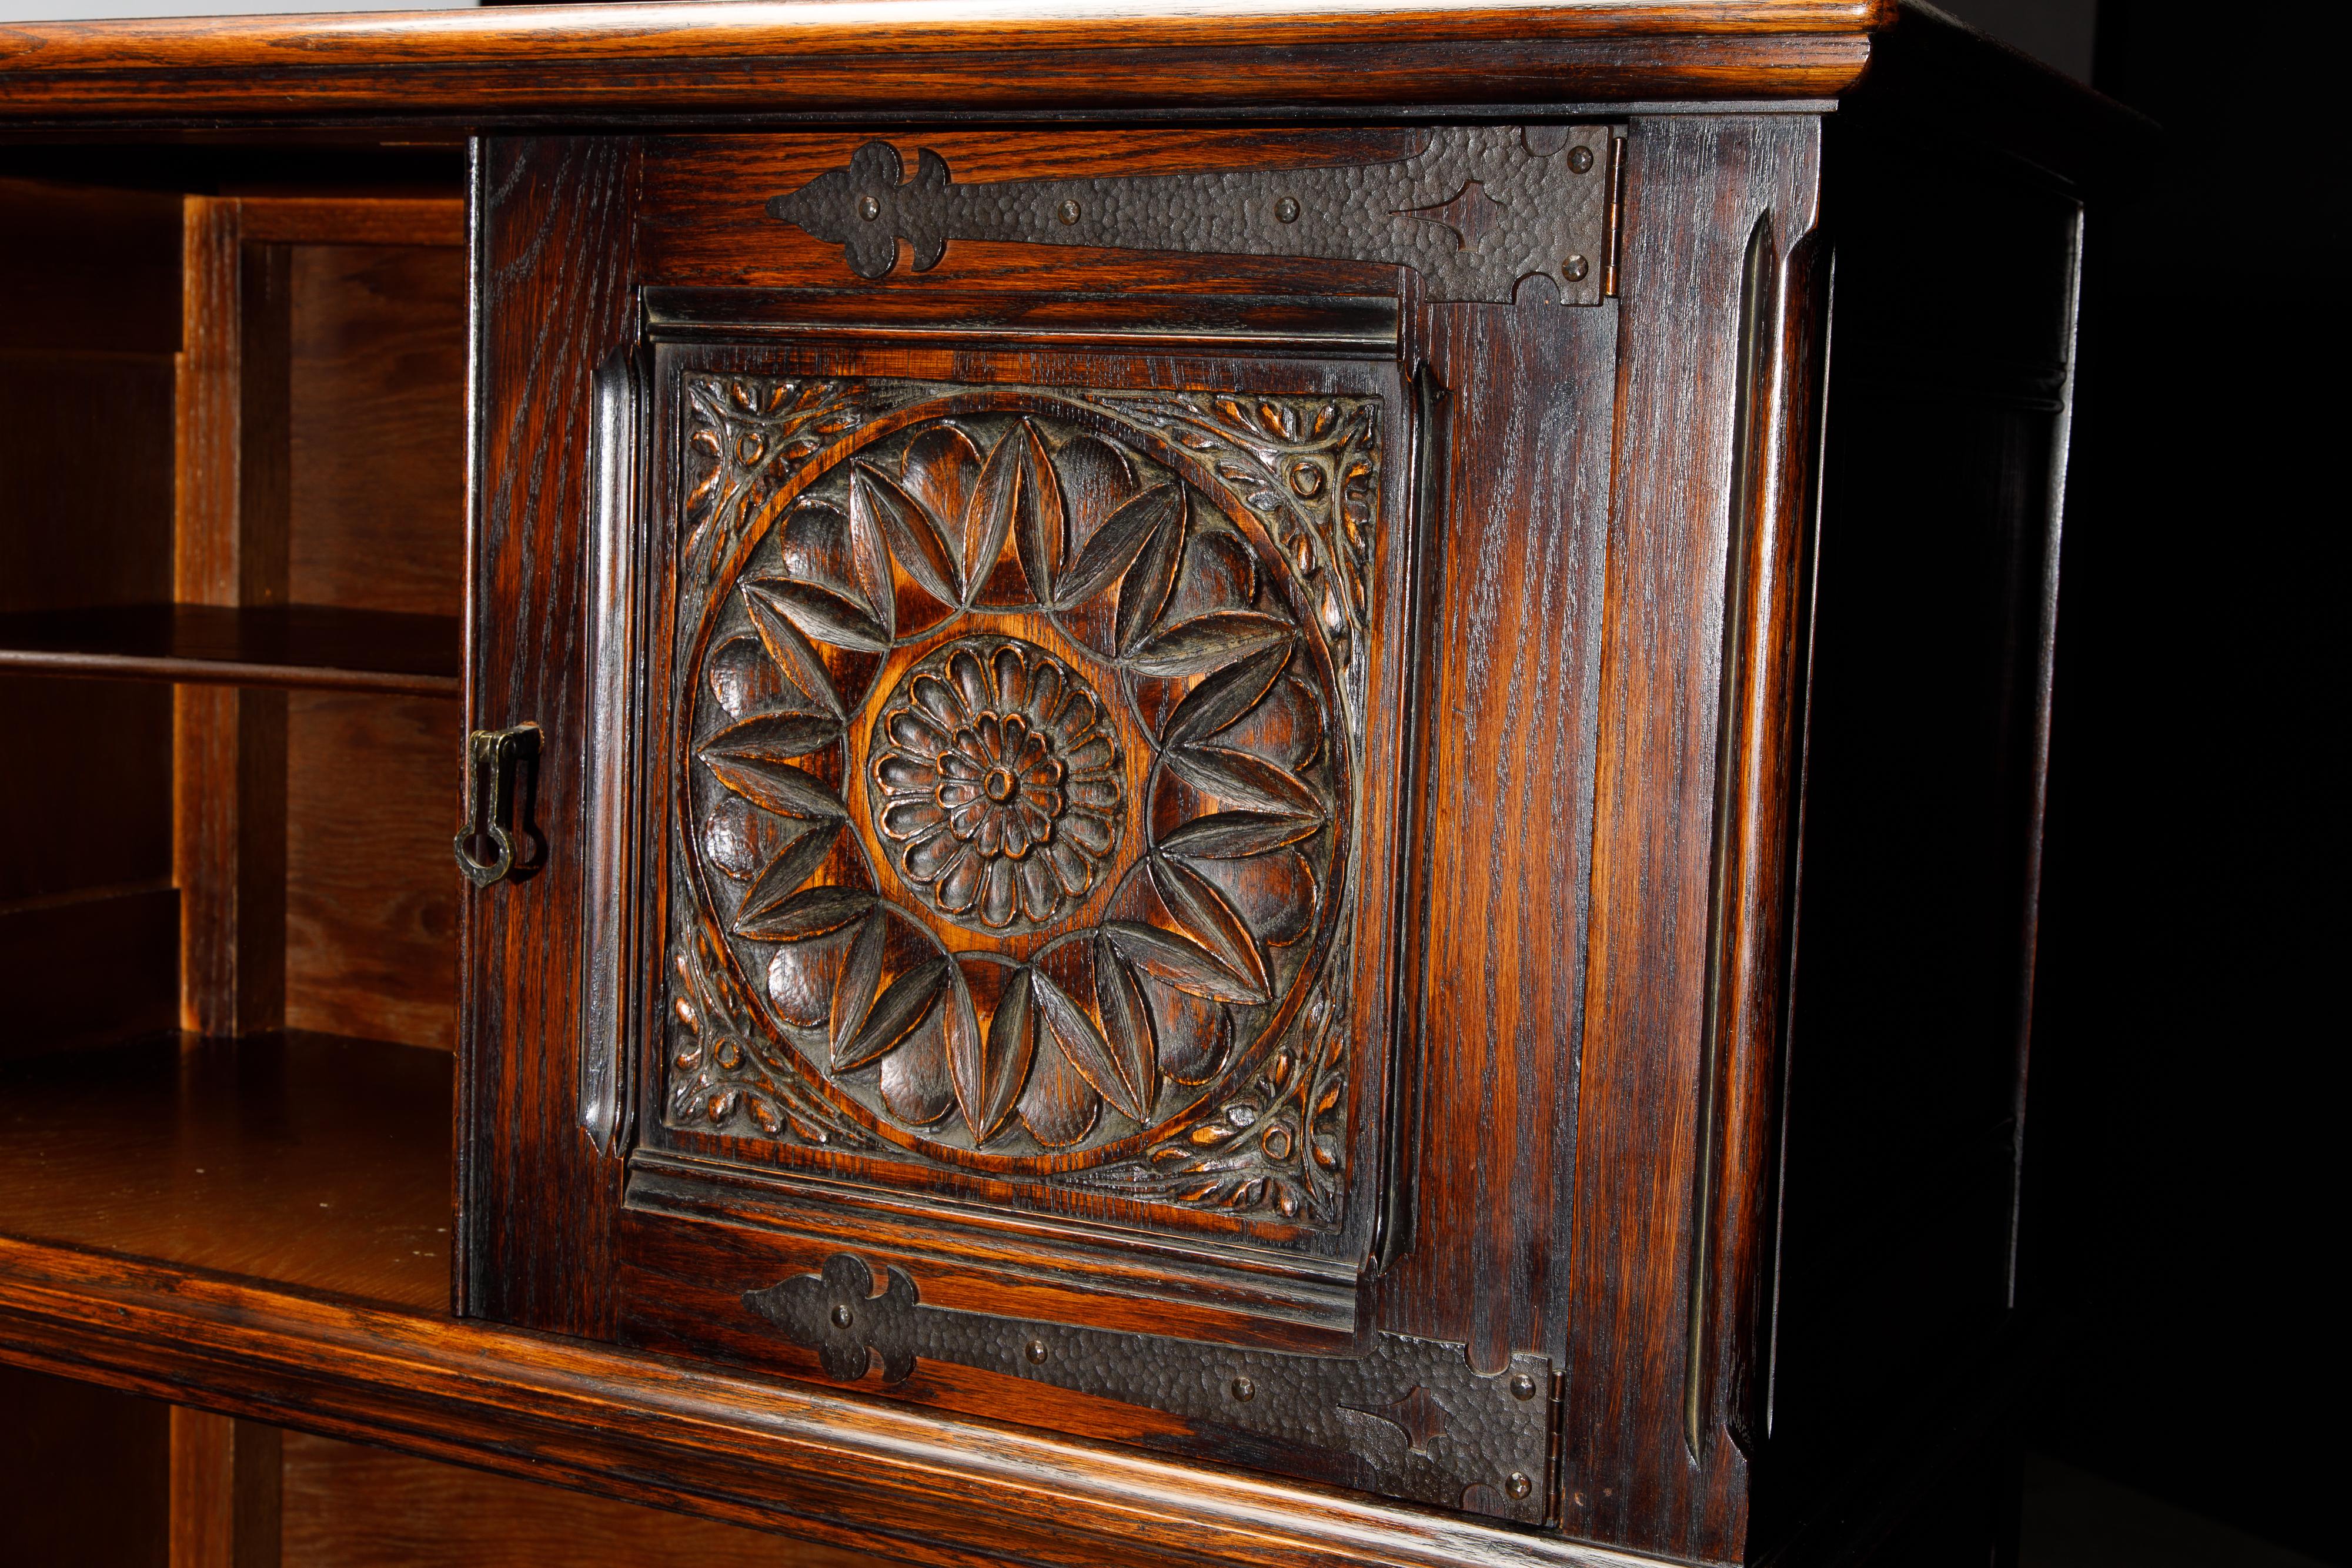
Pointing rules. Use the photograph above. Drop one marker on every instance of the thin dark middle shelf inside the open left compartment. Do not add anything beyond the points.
(283, 645)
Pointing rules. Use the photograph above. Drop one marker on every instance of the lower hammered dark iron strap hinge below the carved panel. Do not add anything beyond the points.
(1408, 1419)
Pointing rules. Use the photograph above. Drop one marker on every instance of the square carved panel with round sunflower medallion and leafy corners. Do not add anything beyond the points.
(1017, 779)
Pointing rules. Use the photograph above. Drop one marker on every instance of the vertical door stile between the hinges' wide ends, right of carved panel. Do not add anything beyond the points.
(1499, 897)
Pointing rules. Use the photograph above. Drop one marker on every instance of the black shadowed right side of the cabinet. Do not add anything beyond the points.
(1935, 608)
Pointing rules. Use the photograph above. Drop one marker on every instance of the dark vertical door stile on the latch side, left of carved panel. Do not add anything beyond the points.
(552, 297)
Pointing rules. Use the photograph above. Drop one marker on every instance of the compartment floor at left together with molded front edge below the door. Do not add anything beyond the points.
(258, 1228)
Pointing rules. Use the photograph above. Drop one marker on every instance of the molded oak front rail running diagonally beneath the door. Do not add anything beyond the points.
(841, 1470)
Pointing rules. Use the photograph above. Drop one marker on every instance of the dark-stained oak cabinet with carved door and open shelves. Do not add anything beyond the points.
(1227, 803)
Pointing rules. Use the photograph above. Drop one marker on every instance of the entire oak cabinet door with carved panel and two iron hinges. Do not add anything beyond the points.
(1029, 958)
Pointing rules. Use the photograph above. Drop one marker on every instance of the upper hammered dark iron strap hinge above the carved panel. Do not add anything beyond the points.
(1478, 213)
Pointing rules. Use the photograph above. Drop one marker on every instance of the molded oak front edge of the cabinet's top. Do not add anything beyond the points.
(926, 60)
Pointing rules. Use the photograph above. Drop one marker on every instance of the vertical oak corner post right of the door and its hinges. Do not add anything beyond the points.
(1695, 196)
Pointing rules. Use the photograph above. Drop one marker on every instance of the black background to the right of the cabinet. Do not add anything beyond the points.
(2184, 1134)
